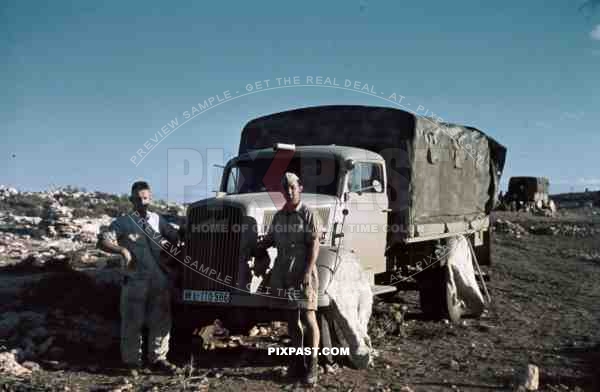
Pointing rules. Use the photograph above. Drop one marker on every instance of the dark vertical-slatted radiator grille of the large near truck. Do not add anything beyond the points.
(213, 242)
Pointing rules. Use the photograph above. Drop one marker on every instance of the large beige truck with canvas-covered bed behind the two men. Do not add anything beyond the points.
(387, 185)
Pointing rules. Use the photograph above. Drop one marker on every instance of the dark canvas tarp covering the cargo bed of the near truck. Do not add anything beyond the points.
(437, 172)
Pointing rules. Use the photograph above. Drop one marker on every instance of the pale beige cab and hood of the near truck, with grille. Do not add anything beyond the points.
(344, 186)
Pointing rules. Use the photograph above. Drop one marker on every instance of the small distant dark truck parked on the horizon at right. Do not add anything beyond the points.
(527, 193)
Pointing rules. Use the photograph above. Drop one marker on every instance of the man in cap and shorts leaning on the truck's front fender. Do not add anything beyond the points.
(294, 232)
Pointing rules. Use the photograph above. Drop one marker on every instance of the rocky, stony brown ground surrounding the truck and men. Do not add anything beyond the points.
(59, 326)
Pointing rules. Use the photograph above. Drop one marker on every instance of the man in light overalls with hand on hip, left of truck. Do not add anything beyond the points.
(145, 292)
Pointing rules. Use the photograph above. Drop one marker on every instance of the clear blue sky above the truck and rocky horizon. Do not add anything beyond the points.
(86, 84)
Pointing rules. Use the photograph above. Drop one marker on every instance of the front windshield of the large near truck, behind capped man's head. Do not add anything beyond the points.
(318, 175)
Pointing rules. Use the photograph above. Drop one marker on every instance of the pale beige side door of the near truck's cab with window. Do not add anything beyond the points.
(367, 203)
